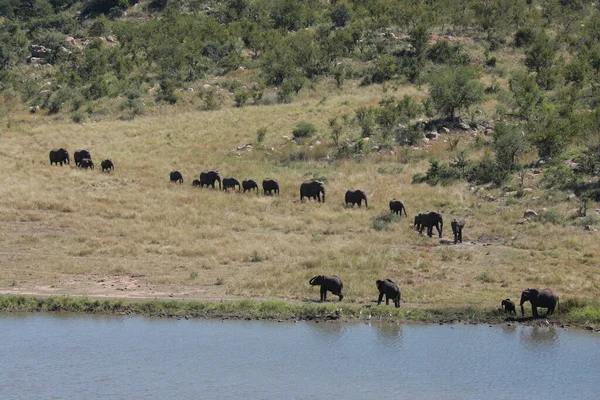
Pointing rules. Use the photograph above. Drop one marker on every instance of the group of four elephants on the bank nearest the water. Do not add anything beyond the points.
(538, 298)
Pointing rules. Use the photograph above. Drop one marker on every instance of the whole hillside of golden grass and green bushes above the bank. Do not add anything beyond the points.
(478, 109)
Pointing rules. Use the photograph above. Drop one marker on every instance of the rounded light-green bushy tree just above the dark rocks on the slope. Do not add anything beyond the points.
(454, 88)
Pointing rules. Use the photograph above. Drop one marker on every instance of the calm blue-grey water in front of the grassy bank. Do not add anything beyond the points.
(89, 357)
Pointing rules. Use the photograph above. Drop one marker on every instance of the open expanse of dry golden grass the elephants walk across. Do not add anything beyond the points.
(134, 234)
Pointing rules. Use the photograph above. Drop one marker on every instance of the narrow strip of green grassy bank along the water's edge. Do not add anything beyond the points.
(584, 317)
